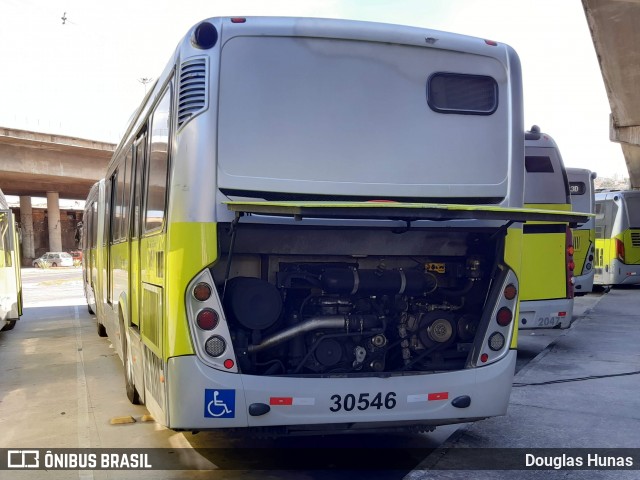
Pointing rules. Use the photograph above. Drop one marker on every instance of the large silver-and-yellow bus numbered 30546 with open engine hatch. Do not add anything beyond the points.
(293, 238)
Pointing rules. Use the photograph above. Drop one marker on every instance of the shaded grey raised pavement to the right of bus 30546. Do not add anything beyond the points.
(579, 395)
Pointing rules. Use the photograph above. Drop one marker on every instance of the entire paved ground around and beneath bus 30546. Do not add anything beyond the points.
(61, 384)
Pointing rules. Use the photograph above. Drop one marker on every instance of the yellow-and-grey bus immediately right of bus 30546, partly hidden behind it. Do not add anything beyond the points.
(546, 289)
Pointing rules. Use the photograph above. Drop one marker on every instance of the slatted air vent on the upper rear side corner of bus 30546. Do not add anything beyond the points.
(193, 89)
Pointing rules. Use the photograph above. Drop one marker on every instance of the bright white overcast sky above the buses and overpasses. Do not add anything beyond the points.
(83, 76)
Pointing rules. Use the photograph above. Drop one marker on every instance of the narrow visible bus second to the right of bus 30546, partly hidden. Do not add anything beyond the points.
(584, 237)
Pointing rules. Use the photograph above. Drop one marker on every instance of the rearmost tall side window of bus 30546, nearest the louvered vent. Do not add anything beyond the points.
(157, 170)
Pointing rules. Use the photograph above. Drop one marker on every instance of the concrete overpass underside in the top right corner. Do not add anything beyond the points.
(615, 30)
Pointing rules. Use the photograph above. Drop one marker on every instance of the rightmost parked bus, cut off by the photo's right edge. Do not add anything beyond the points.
(617, 238)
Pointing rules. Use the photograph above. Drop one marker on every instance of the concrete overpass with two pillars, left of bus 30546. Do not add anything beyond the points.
(53, 166)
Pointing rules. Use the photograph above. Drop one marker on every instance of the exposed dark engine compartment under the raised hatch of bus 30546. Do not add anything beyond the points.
(310, 302)
